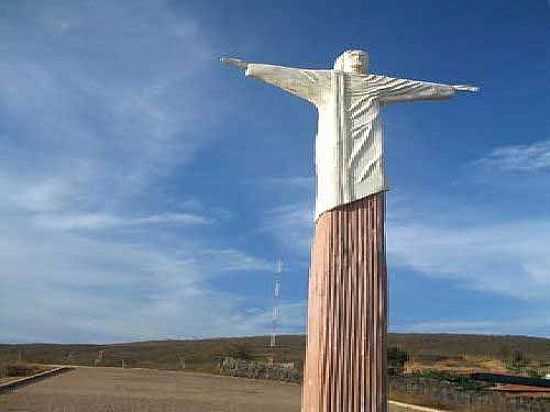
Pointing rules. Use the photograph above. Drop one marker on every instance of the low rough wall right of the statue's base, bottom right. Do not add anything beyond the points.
(448, 394)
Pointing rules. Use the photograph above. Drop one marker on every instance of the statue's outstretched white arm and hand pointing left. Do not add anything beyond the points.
(307, 84)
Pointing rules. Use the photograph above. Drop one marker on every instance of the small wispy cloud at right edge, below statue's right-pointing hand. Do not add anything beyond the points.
(519, 158)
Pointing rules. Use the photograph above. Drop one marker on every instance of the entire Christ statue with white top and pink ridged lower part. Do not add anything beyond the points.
(347, 302)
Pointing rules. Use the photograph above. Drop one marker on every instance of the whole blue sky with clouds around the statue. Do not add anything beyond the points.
(146, 191)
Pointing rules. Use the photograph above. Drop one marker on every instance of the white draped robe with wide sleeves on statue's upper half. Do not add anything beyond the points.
(349, 155)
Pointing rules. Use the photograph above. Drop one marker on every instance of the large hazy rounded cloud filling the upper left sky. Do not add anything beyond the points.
(114, 97)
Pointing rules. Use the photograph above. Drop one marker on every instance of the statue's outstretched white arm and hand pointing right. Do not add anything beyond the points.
(399, 90)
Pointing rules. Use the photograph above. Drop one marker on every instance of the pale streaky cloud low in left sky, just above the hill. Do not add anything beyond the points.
(58, 286)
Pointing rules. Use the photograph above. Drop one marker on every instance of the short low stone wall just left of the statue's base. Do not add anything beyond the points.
(259, 370)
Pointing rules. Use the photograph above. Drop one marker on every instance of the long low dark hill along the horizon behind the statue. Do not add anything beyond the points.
(202, 355)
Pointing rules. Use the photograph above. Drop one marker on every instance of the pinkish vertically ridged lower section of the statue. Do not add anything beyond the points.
(345, 367)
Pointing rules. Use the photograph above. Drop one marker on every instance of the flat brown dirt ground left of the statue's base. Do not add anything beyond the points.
(142, 390)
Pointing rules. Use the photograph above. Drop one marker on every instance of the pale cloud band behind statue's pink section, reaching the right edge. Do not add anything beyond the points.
(510, 258)
